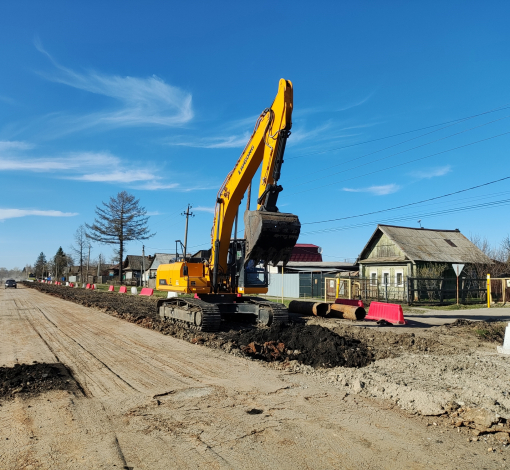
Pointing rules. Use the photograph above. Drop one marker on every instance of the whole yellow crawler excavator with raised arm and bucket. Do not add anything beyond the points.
(223, 282)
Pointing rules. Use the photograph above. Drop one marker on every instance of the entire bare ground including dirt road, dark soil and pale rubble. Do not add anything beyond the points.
(100, 382)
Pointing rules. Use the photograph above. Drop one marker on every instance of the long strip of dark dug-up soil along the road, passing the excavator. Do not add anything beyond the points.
(307, 344)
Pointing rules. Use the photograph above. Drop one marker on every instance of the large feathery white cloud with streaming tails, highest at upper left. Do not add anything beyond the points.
(141, 101)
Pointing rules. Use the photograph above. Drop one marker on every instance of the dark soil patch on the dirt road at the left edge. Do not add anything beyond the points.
(33, 379)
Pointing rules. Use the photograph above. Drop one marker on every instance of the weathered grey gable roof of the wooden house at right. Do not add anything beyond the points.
(429, 245)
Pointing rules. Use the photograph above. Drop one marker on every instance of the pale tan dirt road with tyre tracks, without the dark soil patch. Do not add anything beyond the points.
(150, 401)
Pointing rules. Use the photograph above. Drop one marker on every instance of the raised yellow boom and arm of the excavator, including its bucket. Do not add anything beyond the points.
(270, 235)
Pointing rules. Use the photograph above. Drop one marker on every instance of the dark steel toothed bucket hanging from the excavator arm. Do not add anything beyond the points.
(270, 236)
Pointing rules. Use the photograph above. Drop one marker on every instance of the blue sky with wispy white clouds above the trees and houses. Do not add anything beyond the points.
(159, 98)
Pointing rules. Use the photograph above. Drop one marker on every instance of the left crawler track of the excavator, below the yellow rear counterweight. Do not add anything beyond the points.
(193, 313)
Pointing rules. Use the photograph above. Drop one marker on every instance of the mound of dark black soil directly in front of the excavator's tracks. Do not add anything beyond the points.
(311, 345)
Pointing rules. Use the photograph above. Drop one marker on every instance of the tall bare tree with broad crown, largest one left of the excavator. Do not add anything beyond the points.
(120, 220)
